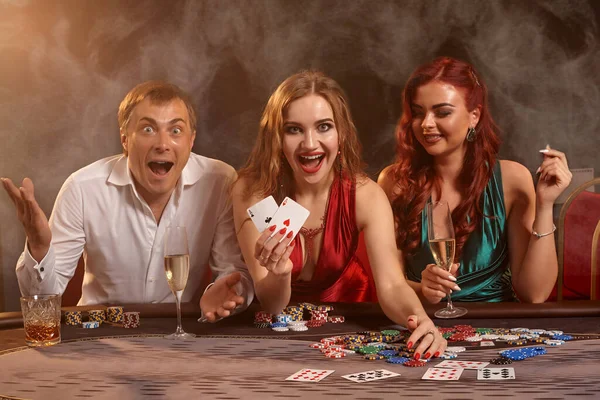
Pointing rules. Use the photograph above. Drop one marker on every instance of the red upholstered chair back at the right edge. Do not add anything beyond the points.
(578, 244)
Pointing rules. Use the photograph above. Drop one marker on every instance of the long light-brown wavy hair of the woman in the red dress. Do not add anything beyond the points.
(267, 172)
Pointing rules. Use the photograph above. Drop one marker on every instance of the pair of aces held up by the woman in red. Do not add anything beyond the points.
(289, 215)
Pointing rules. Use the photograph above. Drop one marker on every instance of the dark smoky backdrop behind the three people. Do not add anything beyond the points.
(66, 65)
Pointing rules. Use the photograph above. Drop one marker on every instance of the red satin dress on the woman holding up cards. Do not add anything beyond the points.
(339, 274)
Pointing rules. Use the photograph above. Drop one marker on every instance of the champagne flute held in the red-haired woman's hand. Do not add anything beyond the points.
(440, 233)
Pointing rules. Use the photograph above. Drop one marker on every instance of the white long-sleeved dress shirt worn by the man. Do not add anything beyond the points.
(98, 213)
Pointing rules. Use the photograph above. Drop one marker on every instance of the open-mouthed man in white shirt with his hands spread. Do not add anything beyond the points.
(116, 210)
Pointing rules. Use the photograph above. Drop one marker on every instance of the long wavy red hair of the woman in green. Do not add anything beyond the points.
(413, 171)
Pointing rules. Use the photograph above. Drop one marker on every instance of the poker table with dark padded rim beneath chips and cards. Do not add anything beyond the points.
(232, 359)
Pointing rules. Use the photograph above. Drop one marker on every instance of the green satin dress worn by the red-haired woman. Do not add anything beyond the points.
(484, 273)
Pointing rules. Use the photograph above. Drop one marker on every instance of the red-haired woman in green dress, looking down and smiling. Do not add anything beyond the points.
(447, 148)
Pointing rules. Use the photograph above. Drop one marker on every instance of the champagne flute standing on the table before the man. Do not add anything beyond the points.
(177, 267)
